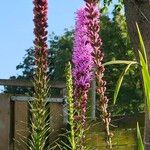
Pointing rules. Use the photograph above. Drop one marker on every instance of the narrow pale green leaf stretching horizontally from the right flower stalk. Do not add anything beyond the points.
(119, 62)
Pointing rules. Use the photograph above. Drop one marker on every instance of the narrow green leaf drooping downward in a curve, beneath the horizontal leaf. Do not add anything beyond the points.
(119, 82)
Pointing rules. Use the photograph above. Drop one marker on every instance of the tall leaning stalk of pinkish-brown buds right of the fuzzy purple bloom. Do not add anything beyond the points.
(93, 26)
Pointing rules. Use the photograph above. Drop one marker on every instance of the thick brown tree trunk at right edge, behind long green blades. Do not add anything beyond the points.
(137, 11)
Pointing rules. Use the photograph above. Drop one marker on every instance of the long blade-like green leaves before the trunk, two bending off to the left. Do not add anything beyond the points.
(144, 70)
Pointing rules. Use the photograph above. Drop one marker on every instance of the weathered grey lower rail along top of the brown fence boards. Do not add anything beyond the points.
(27, 98)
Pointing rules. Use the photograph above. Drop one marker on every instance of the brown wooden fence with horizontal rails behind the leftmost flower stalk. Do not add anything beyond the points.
(14, 114)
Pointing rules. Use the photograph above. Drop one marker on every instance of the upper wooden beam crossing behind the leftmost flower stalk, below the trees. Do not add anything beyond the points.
(26, 83)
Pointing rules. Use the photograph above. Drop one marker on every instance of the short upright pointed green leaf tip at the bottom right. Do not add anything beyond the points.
(139, 139)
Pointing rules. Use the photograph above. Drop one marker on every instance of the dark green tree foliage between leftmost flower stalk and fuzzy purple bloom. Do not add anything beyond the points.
(61, 51)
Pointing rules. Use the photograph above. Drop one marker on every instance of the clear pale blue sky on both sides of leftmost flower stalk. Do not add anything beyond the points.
(16, 28)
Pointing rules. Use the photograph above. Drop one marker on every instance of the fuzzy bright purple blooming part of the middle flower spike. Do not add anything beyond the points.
(82, 58)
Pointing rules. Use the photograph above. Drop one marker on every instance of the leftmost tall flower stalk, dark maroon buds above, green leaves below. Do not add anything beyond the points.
(39, 125)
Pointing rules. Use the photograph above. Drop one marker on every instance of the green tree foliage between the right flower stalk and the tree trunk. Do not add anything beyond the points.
(116, 46)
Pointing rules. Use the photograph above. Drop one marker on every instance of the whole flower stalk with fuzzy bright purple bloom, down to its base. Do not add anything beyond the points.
(82, 66)
